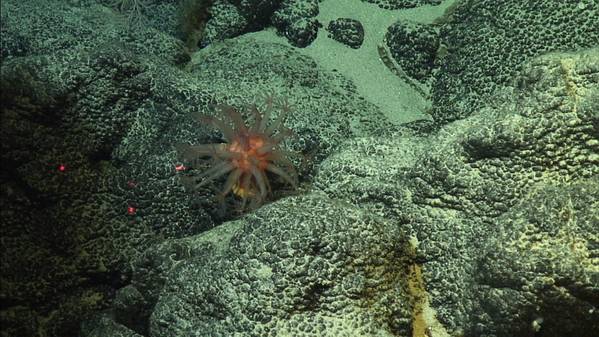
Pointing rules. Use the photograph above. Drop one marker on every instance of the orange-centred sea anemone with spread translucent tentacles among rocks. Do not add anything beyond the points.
(250, 152)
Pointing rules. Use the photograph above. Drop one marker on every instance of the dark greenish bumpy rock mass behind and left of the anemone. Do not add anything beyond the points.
(91, 111)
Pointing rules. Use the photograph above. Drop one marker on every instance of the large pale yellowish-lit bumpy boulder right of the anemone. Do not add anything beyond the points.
(455, 191)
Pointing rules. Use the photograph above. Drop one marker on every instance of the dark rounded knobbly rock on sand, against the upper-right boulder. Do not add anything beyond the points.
(414, 47)
